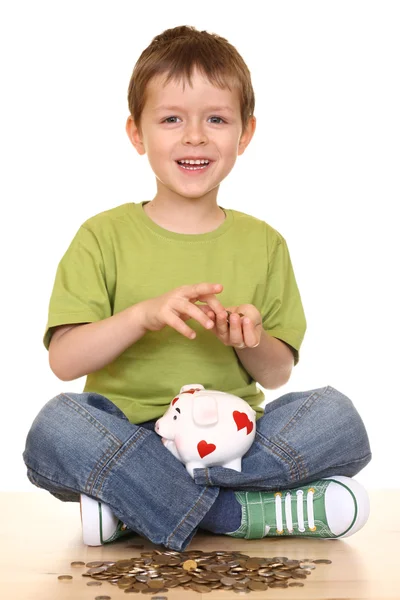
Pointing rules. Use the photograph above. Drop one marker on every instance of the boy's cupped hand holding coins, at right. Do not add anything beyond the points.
(233, 329)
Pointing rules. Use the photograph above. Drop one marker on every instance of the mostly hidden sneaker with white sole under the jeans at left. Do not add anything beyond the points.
(99, 524)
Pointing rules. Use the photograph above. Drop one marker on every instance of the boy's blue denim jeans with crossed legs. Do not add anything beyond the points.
(83, 443)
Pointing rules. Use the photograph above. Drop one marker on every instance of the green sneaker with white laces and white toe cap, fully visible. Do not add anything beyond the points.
(328, 508)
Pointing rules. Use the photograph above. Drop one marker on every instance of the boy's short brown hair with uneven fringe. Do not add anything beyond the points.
(177, 52)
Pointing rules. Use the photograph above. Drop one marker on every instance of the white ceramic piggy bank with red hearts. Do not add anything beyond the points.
(205, 428)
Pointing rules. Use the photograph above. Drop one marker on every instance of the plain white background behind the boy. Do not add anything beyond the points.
(322, 168)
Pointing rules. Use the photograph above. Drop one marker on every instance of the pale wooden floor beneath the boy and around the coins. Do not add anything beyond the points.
(40, 536)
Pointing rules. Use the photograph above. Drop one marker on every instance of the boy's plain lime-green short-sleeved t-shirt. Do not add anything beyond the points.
(121, 257)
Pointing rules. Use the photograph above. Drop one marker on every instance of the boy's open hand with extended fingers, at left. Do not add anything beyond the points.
(177, 306)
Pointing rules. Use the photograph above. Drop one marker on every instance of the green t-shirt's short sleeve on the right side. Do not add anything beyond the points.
(282, 310)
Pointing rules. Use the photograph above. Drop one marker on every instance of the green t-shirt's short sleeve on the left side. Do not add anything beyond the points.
(79, 293)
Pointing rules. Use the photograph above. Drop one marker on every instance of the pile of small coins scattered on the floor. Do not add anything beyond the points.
(156, 572)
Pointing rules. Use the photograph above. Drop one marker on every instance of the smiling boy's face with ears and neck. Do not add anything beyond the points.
(194, 128)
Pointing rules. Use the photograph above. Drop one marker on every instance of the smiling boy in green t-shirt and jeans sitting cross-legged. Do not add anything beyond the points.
(124, 291)
